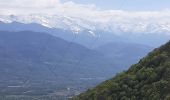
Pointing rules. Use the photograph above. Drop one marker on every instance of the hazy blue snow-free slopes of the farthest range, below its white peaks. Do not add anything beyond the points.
(87, 37)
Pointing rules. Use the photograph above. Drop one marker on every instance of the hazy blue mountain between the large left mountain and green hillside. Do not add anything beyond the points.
(124, 54)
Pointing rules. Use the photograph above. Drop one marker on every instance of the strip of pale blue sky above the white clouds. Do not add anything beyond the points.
(128, 4)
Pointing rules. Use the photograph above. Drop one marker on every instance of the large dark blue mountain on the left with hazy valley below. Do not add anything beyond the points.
(33, 61)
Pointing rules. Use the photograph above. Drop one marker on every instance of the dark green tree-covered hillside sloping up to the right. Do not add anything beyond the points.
(147, 80)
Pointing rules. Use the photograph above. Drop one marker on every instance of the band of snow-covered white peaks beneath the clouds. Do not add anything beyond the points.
(130, 24)
